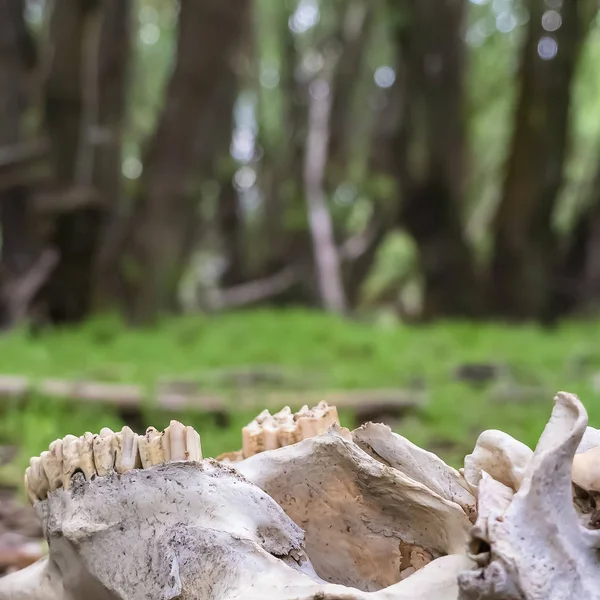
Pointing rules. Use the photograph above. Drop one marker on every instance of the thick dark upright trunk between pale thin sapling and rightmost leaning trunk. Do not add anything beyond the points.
(429, 150)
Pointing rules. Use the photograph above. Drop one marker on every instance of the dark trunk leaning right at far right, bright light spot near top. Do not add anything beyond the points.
(524, 254)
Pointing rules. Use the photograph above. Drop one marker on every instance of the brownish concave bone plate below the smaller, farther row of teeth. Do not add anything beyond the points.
(367, 525)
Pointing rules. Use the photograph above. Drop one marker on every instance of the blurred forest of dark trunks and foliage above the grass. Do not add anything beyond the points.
(436, 158)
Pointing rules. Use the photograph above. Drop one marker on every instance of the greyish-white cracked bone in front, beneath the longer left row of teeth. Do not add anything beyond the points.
(187, 530)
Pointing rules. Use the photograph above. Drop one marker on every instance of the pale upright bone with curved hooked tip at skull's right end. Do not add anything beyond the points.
(529, 543)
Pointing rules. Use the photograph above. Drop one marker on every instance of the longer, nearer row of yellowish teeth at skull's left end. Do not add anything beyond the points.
(99, 455)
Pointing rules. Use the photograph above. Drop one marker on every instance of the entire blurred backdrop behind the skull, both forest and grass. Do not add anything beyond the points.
(276, 192)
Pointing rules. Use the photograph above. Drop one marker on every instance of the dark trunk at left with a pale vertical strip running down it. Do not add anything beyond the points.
(84, 104)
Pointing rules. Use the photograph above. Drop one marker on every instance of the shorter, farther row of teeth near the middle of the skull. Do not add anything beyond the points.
(268, 432)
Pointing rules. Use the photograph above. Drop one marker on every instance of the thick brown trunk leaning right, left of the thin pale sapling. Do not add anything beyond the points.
(164, 219)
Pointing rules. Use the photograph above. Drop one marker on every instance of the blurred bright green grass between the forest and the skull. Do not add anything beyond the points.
(317, 350)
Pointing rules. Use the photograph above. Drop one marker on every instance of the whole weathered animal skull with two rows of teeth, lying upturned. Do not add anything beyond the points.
(313, 511)
